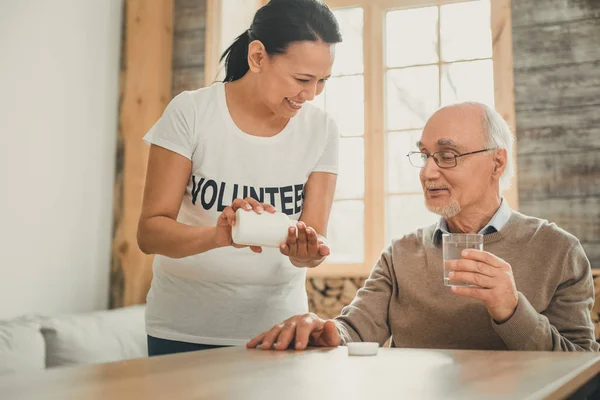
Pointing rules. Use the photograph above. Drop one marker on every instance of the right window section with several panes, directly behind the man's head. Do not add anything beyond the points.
(434, 56)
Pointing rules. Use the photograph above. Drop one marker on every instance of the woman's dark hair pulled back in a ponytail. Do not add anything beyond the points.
(277, 25)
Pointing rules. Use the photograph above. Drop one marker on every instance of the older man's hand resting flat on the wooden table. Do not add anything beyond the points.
(298, 332)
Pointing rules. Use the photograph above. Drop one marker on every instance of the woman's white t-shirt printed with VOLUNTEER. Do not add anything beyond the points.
(227, 295)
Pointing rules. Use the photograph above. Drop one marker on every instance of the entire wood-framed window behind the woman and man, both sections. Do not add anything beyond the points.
(399, 62)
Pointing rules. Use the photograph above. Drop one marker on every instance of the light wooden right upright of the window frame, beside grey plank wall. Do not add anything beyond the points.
(504, 83)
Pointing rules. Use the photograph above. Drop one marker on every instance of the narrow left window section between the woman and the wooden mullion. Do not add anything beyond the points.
(344, 99)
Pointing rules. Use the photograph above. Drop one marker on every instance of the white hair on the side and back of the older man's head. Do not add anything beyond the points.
(498, 135)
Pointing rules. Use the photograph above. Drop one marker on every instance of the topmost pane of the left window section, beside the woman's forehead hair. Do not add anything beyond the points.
(349, 53)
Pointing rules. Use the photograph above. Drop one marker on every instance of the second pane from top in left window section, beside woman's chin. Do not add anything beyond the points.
(345, 102)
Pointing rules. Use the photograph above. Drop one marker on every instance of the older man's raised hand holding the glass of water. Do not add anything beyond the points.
(494, 277)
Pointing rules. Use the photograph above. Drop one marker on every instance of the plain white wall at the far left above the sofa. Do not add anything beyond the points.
(59, 64)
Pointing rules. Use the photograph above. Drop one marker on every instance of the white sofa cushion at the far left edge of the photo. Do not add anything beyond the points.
(21, 345)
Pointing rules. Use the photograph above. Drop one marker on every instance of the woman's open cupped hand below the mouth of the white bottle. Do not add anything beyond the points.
(307, 249)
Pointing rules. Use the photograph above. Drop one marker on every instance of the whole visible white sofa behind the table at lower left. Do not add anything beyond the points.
(37, 342)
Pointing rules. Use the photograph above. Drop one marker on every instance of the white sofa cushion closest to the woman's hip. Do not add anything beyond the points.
(97, 337)
